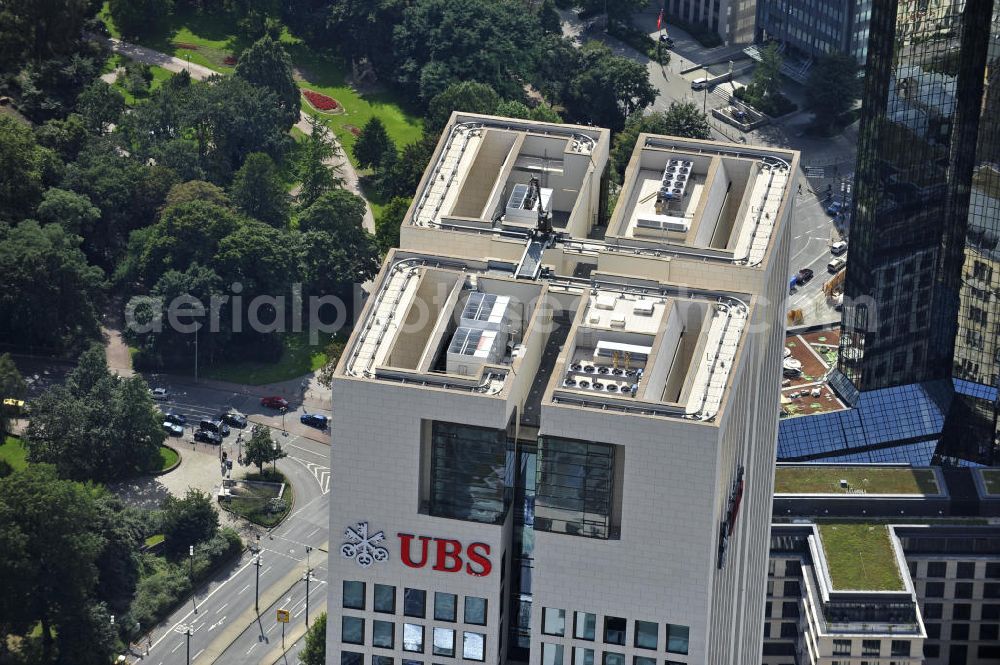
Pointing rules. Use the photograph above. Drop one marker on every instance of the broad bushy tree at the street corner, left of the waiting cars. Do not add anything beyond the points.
(96, 426)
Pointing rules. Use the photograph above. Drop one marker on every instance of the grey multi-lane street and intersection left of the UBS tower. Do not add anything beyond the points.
(226, 627)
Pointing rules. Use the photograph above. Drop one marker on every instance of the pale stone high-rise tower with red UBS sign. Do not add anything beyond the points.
(554, 434)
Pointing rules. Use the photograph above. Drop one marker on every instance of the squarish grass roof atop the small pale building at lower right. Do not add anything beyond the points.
(860, 556)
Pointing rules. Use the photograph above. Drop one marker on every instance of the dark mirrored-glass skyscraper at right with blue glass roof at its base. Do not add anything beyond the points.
(918, 358)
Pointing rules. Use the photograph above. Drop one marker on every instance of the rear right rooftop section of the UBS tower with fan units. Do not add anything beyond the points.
(721, 200)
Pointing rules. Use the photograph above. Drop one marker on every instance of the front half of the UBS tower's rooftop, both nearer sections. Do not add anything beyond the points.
(632, 346)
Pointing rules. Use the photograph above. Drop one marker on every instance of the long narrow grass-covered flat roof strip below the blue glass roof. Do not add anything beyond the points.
(873, 480)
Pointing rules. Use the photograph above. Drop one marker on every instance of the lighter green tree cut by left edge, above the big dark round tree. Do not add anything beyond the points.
(22, 168)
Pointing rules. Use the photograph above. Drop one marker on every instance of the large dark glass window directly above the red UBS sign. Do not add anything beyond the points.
(469, 472)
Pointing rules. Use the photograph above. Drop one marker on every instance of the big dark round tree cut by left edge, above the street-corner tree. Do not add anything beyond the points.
(48, 293)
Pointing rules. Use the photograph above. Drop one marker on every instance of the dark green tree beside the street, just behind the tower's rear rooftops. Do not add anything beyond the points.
(608, 88)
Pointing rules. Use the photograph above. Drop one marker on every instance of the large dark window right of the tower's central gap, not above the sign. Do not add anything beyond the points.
(575, 487)
